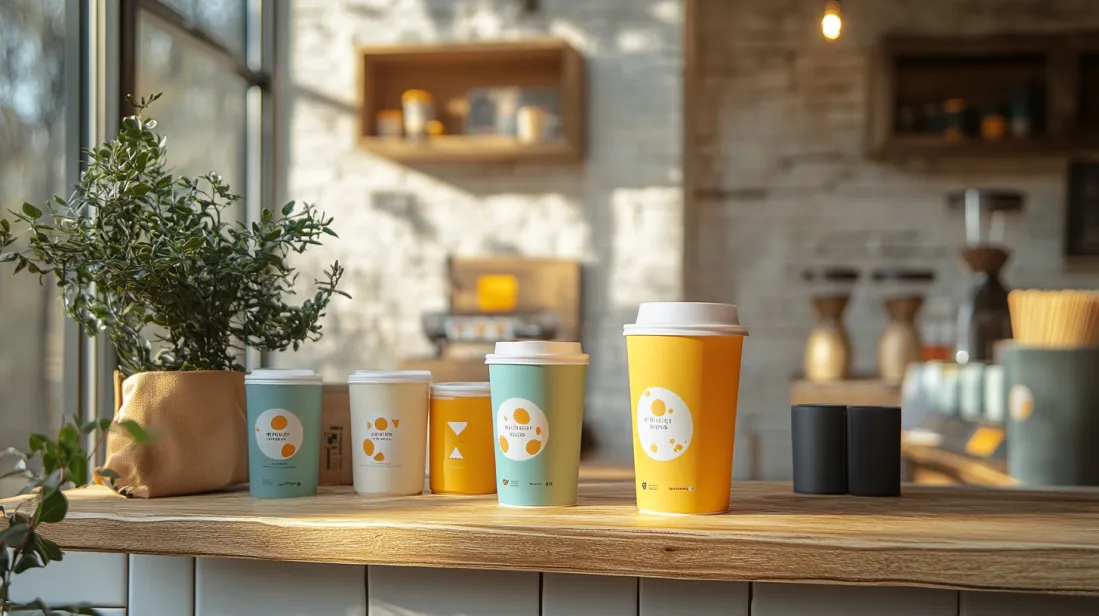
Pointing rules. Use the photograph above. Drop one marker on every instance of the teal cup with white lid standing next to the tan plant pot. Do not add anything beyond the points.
(285, 433)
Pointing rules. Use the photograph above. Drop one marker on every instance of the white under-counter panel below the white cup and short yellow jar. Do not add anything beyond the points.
(414, 591)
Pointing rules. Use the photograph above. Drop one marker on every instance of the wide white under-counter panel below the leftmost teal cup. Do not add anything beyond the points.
(258, 588)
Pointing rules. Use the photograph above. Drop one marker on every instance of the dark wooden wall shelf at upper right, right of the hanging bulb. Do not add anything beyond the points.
(1046, 80)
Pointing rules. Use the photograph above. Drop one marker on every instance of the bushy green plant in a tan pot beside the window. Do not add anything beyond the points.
(154, 262)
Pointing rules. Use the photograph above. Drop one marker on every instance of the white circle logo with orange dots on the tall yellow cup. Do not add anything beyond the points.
(665, 427)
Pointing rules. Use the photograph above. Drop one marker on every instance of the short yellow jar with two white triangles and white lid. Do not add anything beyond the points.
(462, 458)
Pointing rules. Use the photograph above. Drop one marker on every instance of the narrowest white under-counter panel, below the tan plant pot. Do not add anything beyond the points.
(162, 586)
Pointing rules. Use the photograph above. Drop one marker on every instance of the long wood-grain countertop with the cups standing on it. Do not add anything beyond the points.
(958, 537)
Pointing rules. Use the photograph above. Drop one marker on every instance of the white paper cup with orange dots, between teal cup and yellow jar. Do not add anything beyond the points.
(390, 431)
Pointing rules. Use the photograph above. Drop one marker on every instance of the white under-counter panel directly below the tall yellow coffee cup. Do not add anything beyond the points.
(678, 598)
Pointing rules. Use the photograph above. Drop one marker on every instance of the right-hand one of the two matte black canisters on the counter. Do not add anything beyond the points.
(874, 451)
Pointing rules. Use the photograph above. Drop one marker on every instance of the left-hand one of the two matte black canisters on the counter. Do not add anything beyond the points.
(820, 449)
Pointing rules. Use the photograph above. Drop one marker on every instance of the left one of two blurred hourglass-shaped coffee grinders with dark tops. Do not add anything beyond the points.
(828, 350)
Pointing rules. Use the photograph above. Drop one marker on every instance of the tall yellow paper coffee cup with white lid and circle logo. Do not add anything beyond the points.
(685, 373)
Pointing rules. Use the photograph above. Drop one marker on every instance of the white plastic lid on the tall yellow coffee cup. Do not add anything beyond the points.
(686, 319)
